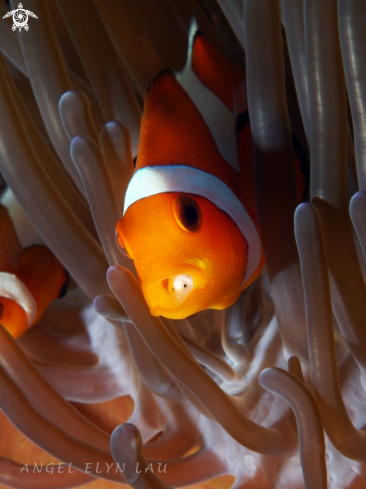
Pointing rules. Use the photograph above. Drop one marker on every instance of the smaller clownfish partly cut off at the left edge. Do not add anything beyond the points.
(30, 275)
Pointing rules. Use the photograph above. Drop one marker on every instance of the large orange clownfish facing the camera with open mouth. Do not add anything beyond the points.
(189, 220)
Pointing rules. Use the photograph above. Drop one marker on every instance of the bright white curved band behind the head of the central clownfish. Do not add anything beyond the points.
(153, 180)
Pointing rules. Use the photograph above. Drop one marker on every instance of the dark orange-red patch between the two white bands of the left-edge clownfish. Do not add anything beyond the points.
(9, 243)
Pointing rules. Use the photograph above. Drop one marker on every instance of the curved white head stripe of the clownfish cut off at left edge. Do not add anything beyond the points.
(13, 288)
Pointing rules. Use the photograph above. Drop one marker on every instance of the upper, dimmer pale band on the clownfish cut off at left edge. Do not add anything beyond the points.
(26, 232)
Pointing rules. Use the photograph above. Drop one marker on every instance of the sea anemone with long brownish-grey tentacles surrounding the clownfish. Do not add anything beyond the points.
(269, 392)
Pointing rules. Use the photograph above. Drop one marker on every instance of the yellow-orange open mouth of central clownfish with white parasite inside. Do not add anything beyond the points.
(176, 291)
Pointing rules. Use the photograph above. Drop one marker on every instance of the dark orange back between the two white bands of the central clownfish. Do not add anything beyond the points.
(174, 132)
